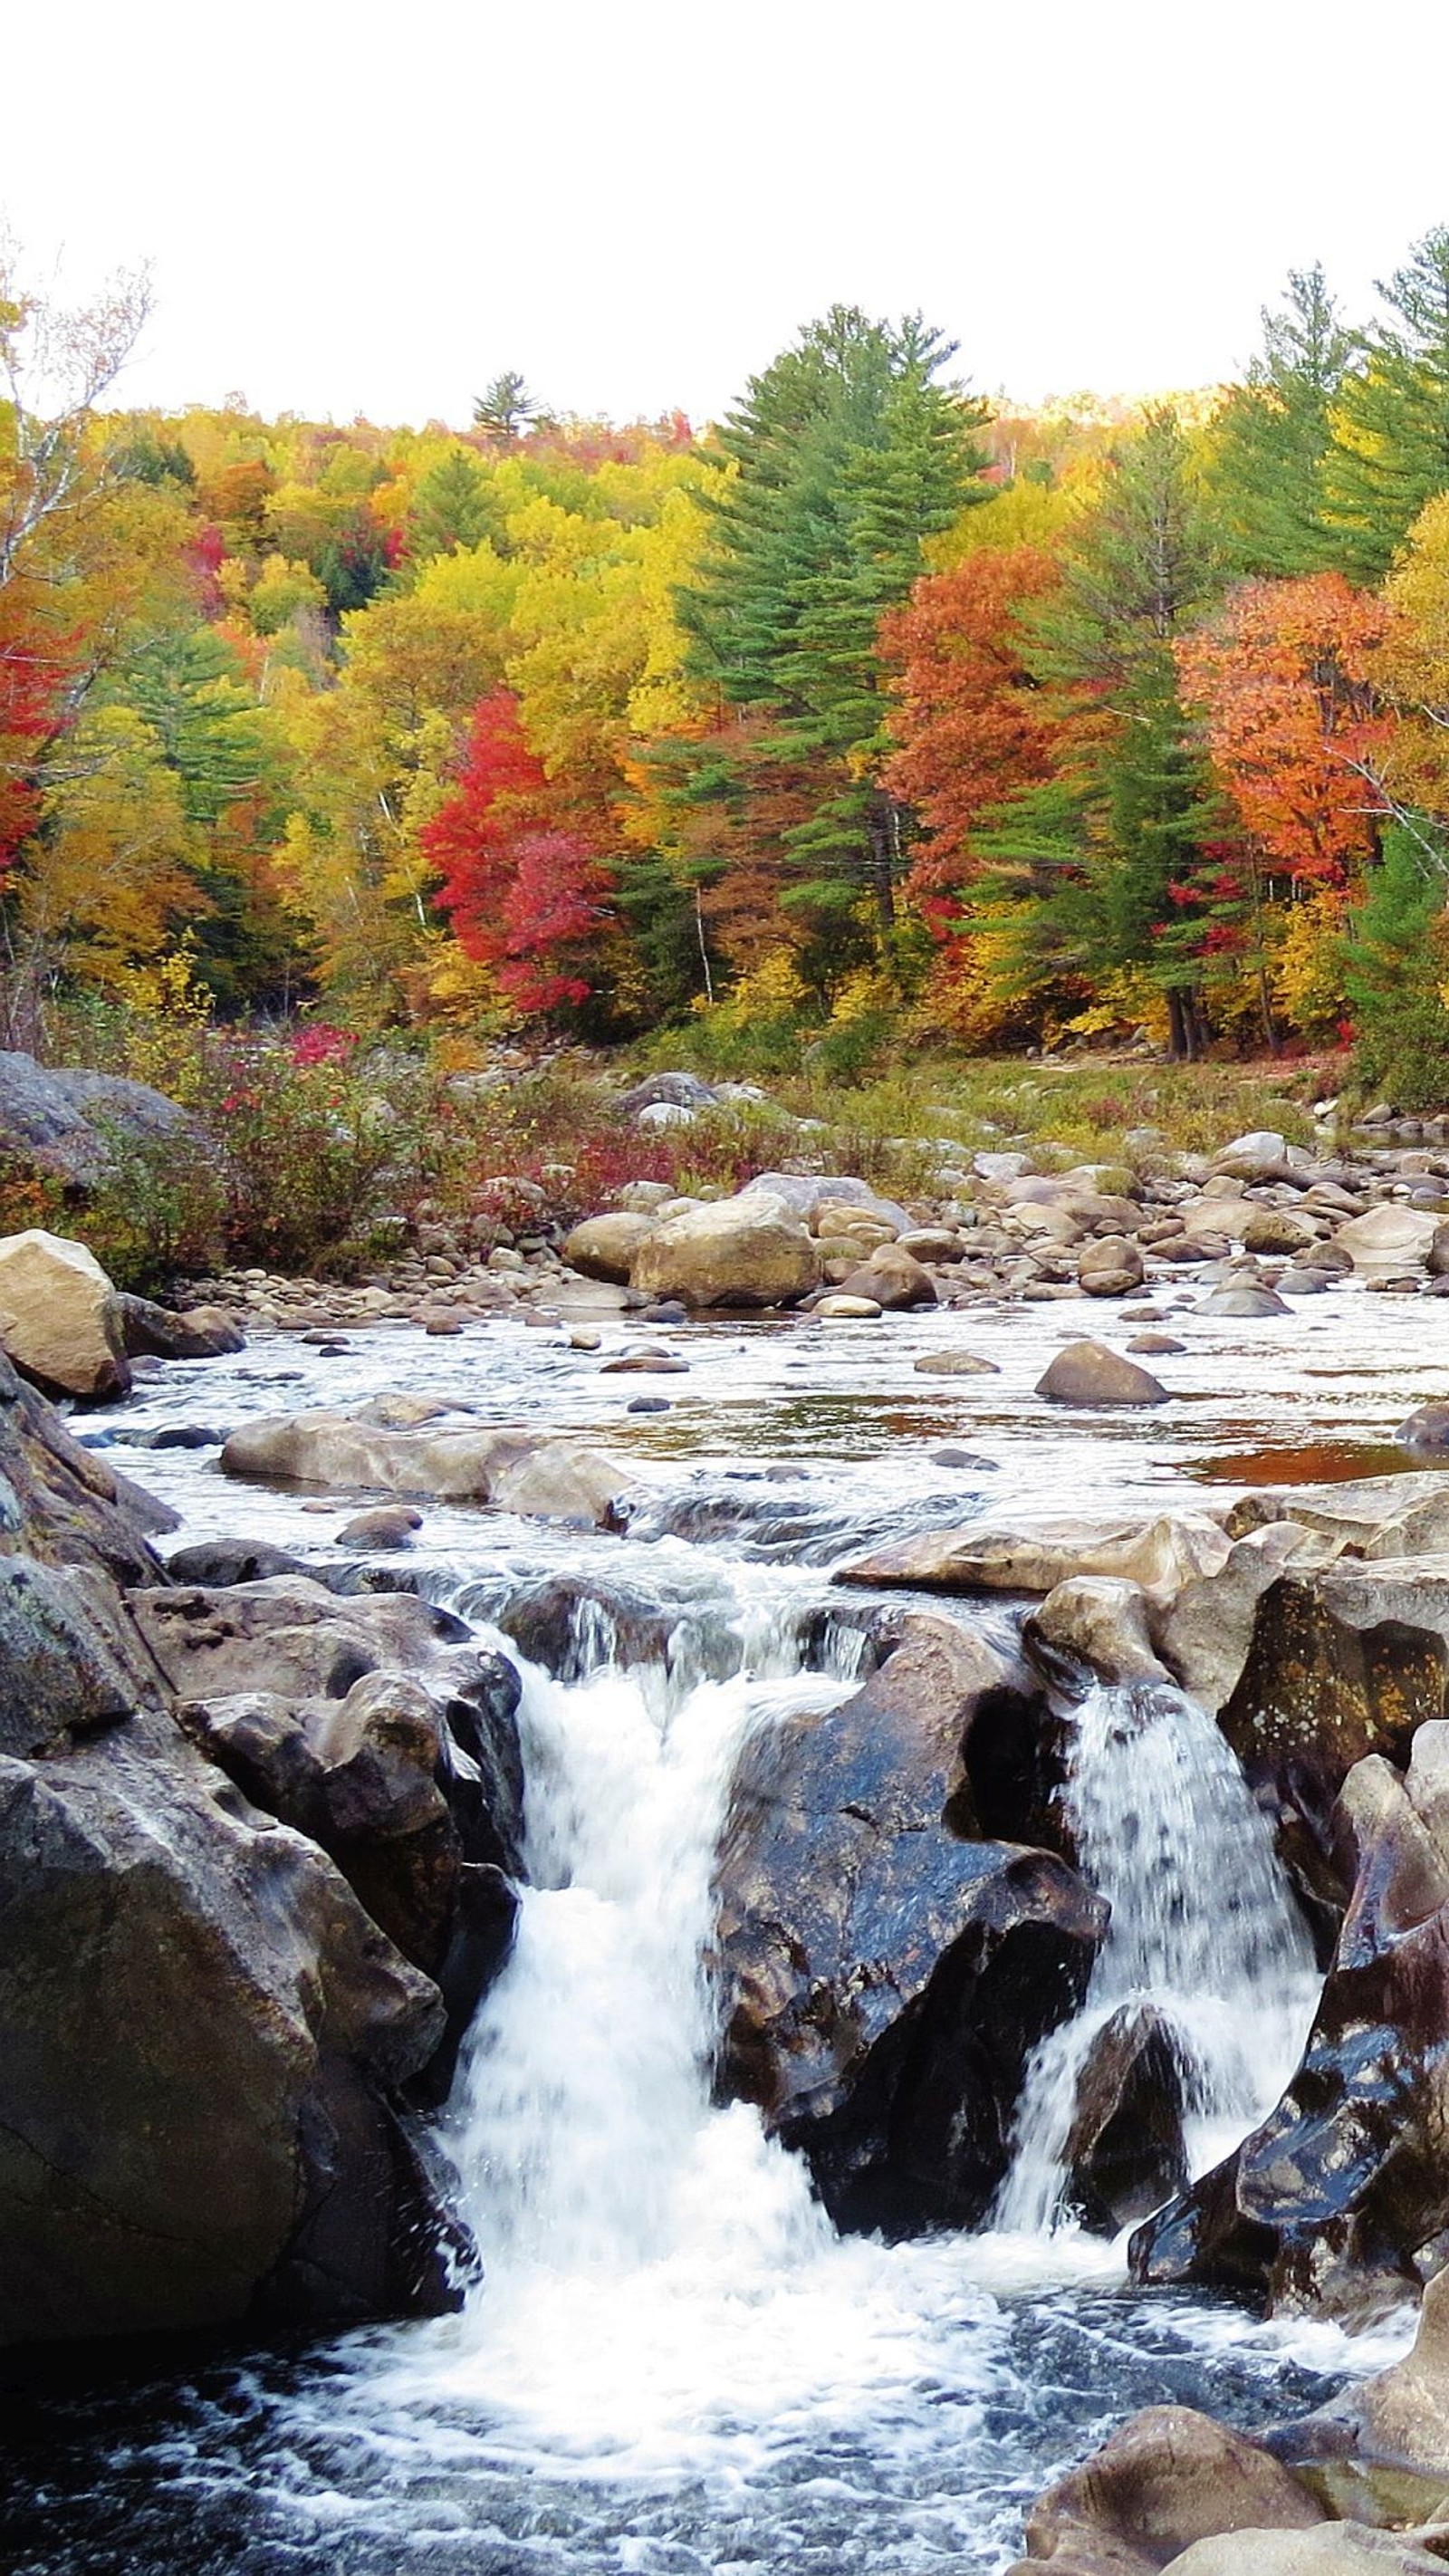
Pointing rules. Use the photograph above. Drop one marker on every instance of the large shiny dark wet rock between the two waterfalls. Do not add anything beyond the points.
(884, 1980)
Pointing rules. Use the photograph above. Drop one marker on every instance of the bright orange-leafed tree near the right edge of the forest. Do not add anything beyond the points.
(1293, 723)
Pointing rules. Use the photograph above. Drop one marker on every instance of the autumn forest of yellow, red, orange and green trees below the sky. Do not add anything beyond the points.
(874, 717)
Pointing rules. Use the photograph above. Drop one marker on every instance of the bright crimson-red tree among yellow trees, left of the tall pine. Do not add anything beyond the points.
(524, 880)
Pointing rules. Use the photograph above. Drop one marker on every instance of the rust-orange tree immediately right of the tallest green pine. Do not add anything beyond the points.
(972, 725)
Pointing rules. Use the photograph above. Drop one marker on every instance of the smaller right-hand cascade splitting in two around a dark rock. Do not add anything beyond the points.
(1203, 1931)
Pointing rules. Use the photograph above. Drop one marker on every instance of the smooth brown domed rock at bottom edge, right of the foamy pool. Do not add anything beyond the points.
(1167, 2479)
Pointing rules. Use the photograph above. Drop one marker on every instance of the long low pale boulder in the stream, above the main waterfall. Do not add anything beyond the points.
(346, 1452)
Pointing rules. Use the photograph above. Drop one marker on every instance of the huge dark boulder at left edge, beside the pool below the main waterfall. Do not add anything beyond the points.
(202, 2039)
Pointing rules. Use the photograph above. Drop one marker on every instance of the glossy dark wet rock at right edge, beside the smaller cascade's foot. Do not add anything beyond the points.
(1342, 2199)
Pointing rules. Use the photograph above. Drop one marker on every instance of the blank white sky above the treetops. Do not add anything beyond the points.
(377, 210)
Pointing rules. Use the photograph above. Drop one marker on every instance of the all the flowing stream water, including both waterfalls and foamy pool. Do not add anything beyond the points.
(673, 2366)
